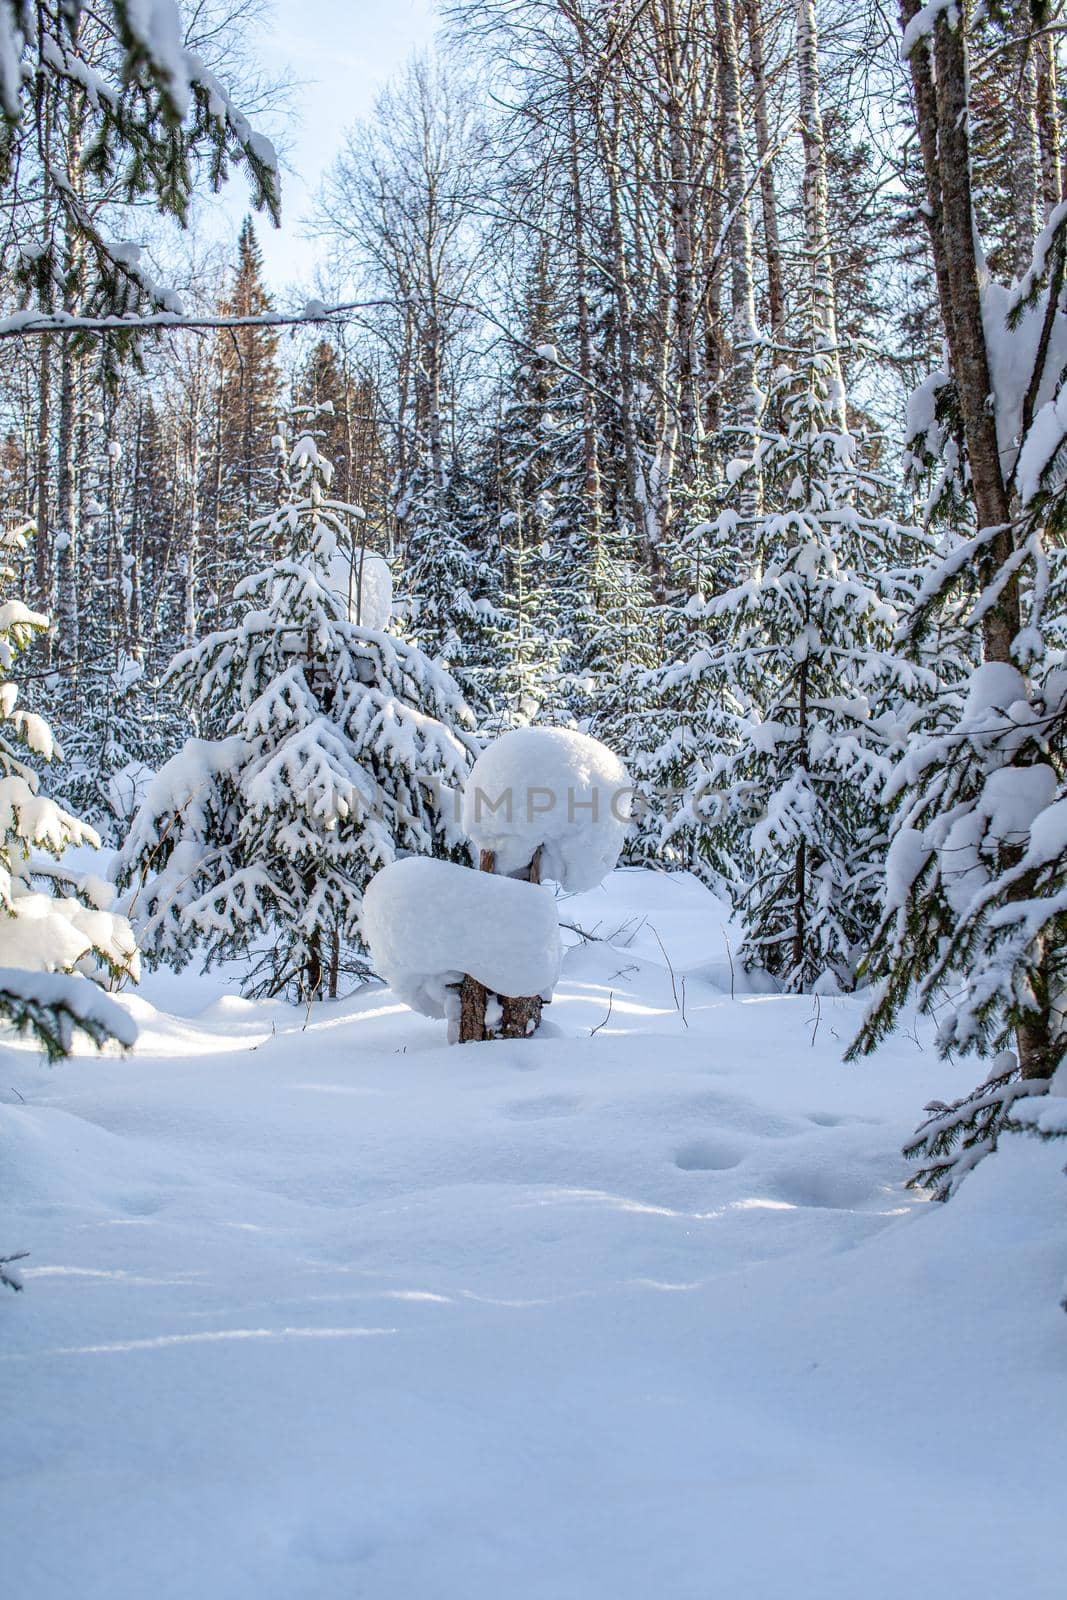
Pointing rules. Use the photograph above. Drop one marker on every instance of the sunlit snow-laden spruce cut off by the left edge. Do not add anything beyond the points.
(55, 948)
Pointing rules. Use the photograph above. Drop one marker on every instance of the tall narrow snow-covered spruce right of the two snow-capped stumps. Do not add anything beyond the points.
(799, 700)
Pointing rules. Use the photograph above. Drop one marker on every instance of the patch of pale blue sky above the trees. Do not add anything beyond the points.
(342, 52)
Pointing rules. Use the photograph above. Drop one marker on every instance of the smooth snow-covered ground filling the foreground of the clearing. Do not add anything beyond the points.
(321, 1308)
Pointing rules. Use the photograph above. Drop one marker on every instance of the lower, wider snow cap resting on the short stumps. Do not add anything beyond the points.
(430, 922)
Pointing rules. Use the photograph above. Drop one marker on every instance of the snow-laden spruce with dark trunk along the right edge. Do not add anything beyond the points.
(977, 910)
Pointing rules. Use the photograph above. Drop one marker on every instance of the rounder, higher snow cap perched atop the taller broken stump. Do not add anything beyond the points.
(556, 790)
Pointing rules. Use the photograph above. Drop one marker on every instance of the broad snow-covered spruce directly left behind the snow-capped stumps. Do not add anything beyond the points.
(330, 750)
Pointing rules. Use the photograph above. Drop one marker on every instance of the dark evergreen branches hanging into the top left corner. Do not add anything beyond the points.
(140, 116)
